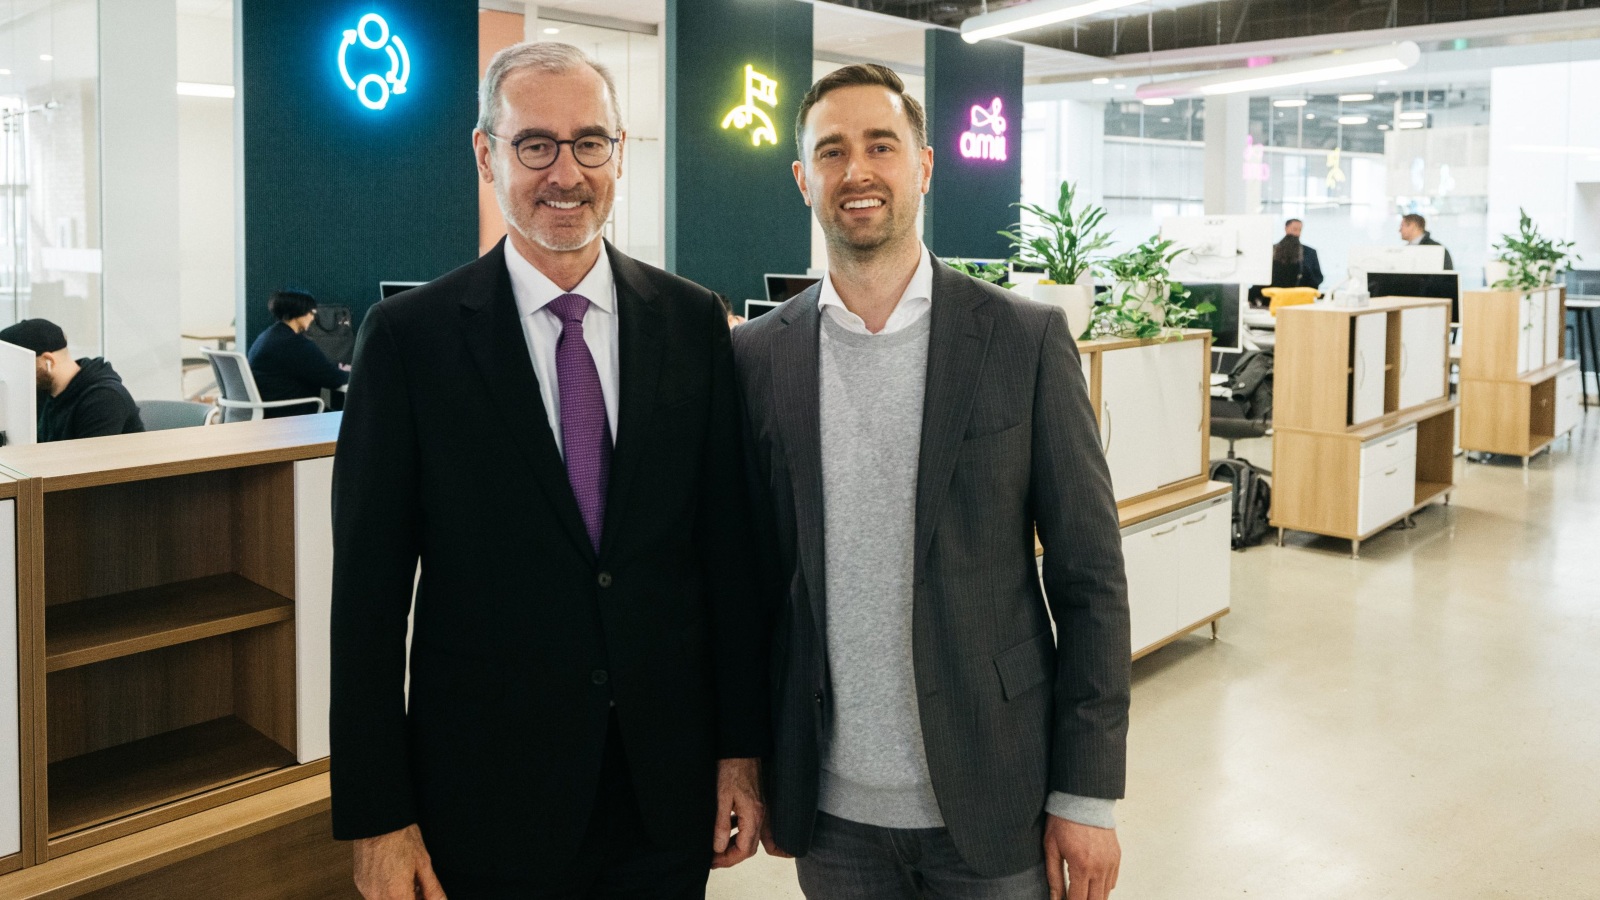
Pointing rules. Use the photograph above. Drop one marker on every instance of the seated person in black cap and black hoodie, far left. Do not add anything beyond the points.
(78, 398)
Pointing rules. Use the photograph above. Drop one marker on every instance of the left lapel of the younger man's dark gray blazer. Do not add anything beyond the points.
(796, 396)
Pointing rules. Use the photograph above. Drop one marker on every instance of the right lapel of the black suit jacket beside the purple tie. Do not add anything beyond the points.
(639, 371)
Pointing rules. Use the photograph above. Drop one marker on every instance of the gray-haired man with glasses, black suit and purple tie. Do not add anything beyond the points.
(553, 433)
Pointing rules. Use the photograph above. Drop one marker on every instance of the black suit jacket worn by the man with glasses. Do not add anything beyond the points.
(524, 637)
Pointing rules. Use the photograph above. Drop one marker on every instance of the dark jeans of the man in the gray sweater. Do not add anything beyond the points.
(850, 861)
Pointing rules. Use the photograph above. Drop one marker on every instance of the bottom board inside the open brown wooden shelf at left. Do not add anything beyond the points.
(114, 782)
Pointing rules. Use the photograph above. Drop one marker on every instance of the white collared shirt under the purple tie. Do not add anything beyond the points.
(543, 329)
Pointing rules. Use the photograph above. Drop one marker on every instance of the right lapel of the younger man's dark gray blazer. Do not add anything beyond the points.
(958, 347)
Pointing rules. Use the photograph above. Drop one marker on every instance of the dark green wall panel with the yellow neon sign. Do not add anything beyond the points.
(732, 209)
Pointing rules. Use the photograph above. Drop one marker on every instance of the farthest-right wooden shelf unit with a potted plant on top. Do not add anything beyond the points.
(1519, 392)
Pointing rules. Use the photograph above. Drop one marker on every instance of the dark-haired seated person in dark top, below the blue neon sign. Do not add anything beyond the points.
(286, 363)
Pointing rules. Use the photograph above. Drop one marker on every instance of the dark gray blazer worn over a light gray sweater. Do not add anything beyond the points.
(1009, 444)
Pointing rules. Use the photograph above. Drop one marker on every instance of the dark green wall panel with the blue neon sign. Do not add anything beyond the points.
(340, 198)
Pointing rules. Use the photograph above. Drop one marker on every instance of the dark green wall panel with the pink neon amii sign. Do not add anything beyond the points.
(972, 199)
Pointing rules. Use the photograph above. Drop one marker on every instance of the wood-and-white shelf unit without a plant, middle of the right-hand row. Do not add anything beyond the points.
(1364, 425)
